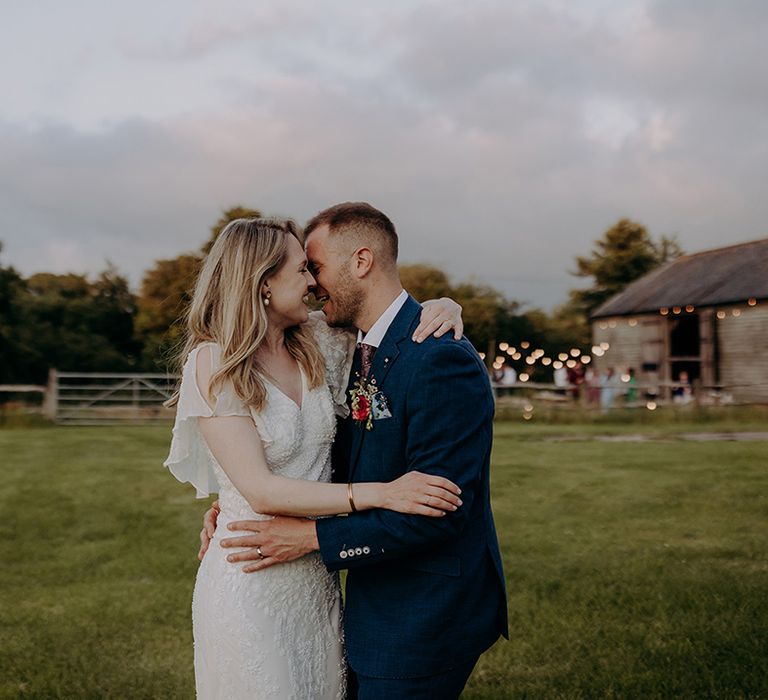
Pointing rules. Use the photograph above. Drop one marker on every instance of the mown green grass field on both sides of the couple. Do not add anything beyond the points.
(635, 569)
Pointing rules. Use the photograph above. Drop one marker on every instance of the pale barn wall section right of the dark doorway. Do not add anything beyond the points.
(743, 344)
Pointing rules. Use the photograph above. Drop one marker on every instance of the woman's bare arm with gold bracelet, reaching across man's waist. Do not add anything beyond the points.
(236, 445)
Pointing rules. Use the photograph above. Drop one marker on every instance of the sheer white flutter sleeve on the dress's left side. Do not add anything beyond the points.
(189, 459)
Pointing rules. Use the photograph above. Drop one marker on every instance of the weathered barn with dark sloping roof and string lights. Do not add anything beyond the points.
(705, 315)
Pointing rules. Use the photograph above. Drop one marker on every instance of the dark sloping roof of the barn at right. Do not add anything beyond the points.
(721, 276)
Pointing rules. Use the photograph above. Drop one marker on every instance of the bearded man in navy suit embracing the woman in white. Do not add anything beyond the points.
(424, 596)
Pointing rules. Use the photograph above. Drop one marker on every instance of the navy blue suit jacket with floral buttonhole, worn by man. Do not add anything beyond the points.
(422, 594)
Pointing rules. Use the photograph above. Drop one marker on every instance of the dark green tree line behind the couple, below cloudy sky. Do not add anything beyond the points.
(75, 323)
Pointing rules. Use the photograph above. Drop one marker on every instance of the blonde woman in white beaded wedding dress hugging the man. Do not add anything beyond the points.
(262, 382)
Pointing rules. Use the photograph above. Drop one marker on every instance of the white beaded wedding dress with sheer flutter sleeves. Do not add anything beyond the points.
(275, 633)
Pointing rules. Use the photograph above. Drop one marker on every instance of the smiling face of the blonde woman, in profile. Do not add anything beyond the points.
(289, 288)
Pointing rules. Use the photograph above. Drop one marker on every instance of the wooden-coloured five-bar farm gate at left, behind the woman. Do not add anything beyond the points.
(96, 398)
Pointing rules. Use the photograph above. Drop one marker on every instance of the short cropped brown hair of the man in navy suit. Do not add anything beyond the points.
(360, 224)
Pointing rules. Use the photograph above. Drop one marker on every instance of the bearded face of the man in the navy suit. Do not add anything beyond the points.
(336, 287)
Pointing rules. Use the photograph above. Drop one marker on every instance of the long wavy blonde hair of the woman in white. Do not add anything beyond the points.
(227, 307)
